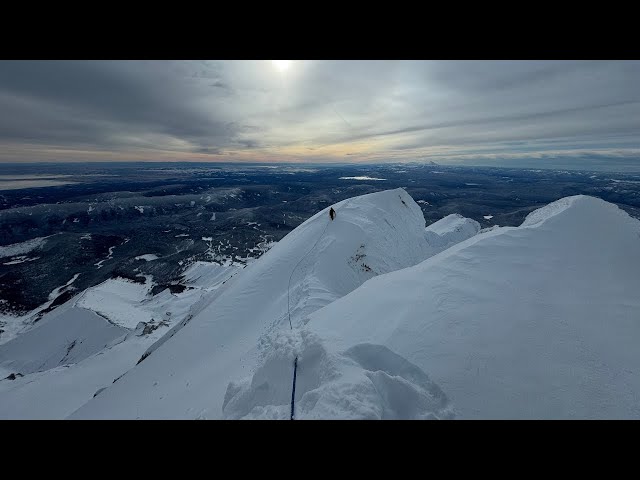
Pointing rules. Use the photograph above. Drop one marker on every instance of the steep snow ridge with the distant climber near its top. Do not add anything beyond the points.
(317, 263)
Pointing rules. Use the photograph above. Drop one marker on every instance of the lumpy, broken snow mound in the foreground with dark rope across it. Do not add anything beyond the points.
(367, 382)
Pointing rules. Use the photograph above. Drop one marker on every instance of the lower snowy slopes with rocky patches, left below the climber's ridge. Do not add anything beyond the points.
(74, 352)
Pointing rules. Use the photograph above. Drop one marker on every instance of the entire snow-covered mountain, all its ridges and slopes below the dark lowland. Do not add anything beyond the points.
(387, 320)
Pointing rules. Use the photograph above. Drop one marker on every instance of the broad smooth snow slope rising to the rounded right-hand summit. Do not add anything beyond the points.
(537, 321)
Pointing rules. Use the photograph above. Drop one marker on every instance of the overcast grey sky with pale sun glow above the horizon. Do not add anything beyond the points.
(470, 112)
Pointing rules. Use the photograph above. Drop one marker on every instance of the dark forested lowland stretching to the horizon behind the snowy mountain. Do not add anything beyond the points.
(71, 226)
